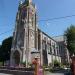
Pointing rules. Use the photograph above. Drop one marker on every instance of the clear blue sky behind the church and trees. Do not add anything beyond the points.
(46, 9)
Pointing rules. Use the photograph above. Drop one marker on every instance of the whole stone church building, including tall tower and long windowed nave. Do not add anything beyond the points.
(30, 42)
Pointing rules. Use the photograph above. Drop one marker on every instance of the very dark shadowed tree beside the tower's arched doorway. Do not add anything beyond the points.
(5, 49)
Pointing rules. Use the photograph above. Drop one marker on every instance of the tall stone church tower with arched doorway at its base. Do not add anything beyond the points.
(25, 33)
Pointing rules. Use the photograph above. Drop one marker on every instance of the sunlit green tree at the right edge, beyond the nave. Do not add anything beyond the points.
(70, 35)
